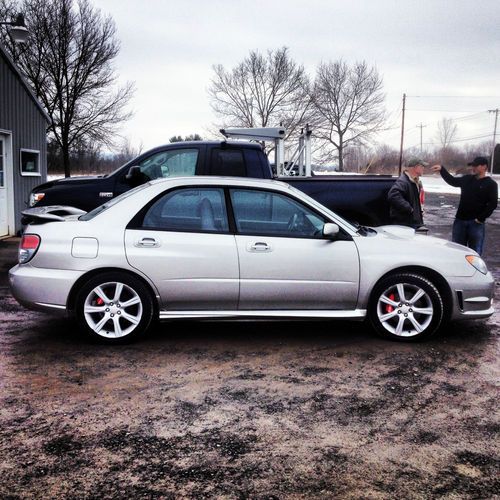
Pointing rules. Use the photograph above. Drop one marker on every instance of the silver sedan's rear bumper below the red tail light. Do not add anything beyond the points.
(42, 289)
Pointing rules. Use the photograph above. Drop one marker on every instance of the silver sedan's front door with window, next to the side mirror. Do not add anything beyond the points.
(285, 262)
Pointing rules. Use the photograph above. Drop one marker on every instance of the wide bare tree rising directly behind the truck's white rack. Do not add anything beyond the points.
(261, 91)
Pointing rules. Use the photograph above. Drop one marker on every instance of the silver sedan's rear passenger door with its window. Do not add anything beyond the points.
(182, 243)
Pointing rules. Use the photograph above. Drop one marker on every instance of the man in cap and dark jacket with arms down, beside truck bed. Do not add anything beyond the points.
(405, 195)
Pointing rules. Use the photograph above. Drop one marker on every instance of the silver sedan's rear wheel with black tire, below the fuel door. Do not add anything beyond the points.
(114, 308)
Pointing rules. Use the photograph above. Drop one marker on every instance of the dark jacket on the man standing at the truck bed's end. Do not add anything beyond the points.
(404, 201)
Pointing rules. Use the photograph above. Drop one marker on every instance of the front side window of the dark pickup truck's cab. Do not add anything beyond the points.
(170, 163)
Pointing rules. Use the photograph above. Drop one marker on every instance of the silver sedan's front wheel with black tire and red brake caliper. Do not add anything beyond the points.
(406, 307)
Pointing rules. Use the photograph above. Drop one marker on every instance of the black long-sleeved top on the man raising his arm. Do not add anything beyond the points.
(479, 197)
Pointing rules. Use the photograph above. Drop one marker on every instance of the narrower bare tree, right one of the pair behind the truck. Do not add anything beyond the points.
(349, 106)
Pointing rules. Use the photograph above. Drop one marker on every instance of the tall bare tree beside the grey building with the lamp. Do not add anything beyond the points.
(68, 62)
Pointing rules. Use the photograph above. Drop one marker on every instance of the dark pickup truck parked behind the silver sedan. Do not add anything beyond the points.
(359, 198)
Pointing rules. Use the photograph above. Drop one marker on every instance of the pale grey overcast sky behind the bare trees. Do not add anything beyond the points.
(447, 52)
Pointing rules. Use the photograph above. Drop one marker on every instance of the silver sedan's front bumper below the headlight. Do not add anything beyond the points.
(472, 297)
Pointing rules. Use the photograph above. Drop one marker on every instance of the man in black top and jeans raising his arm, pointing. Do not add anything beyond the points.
(478, 199)
